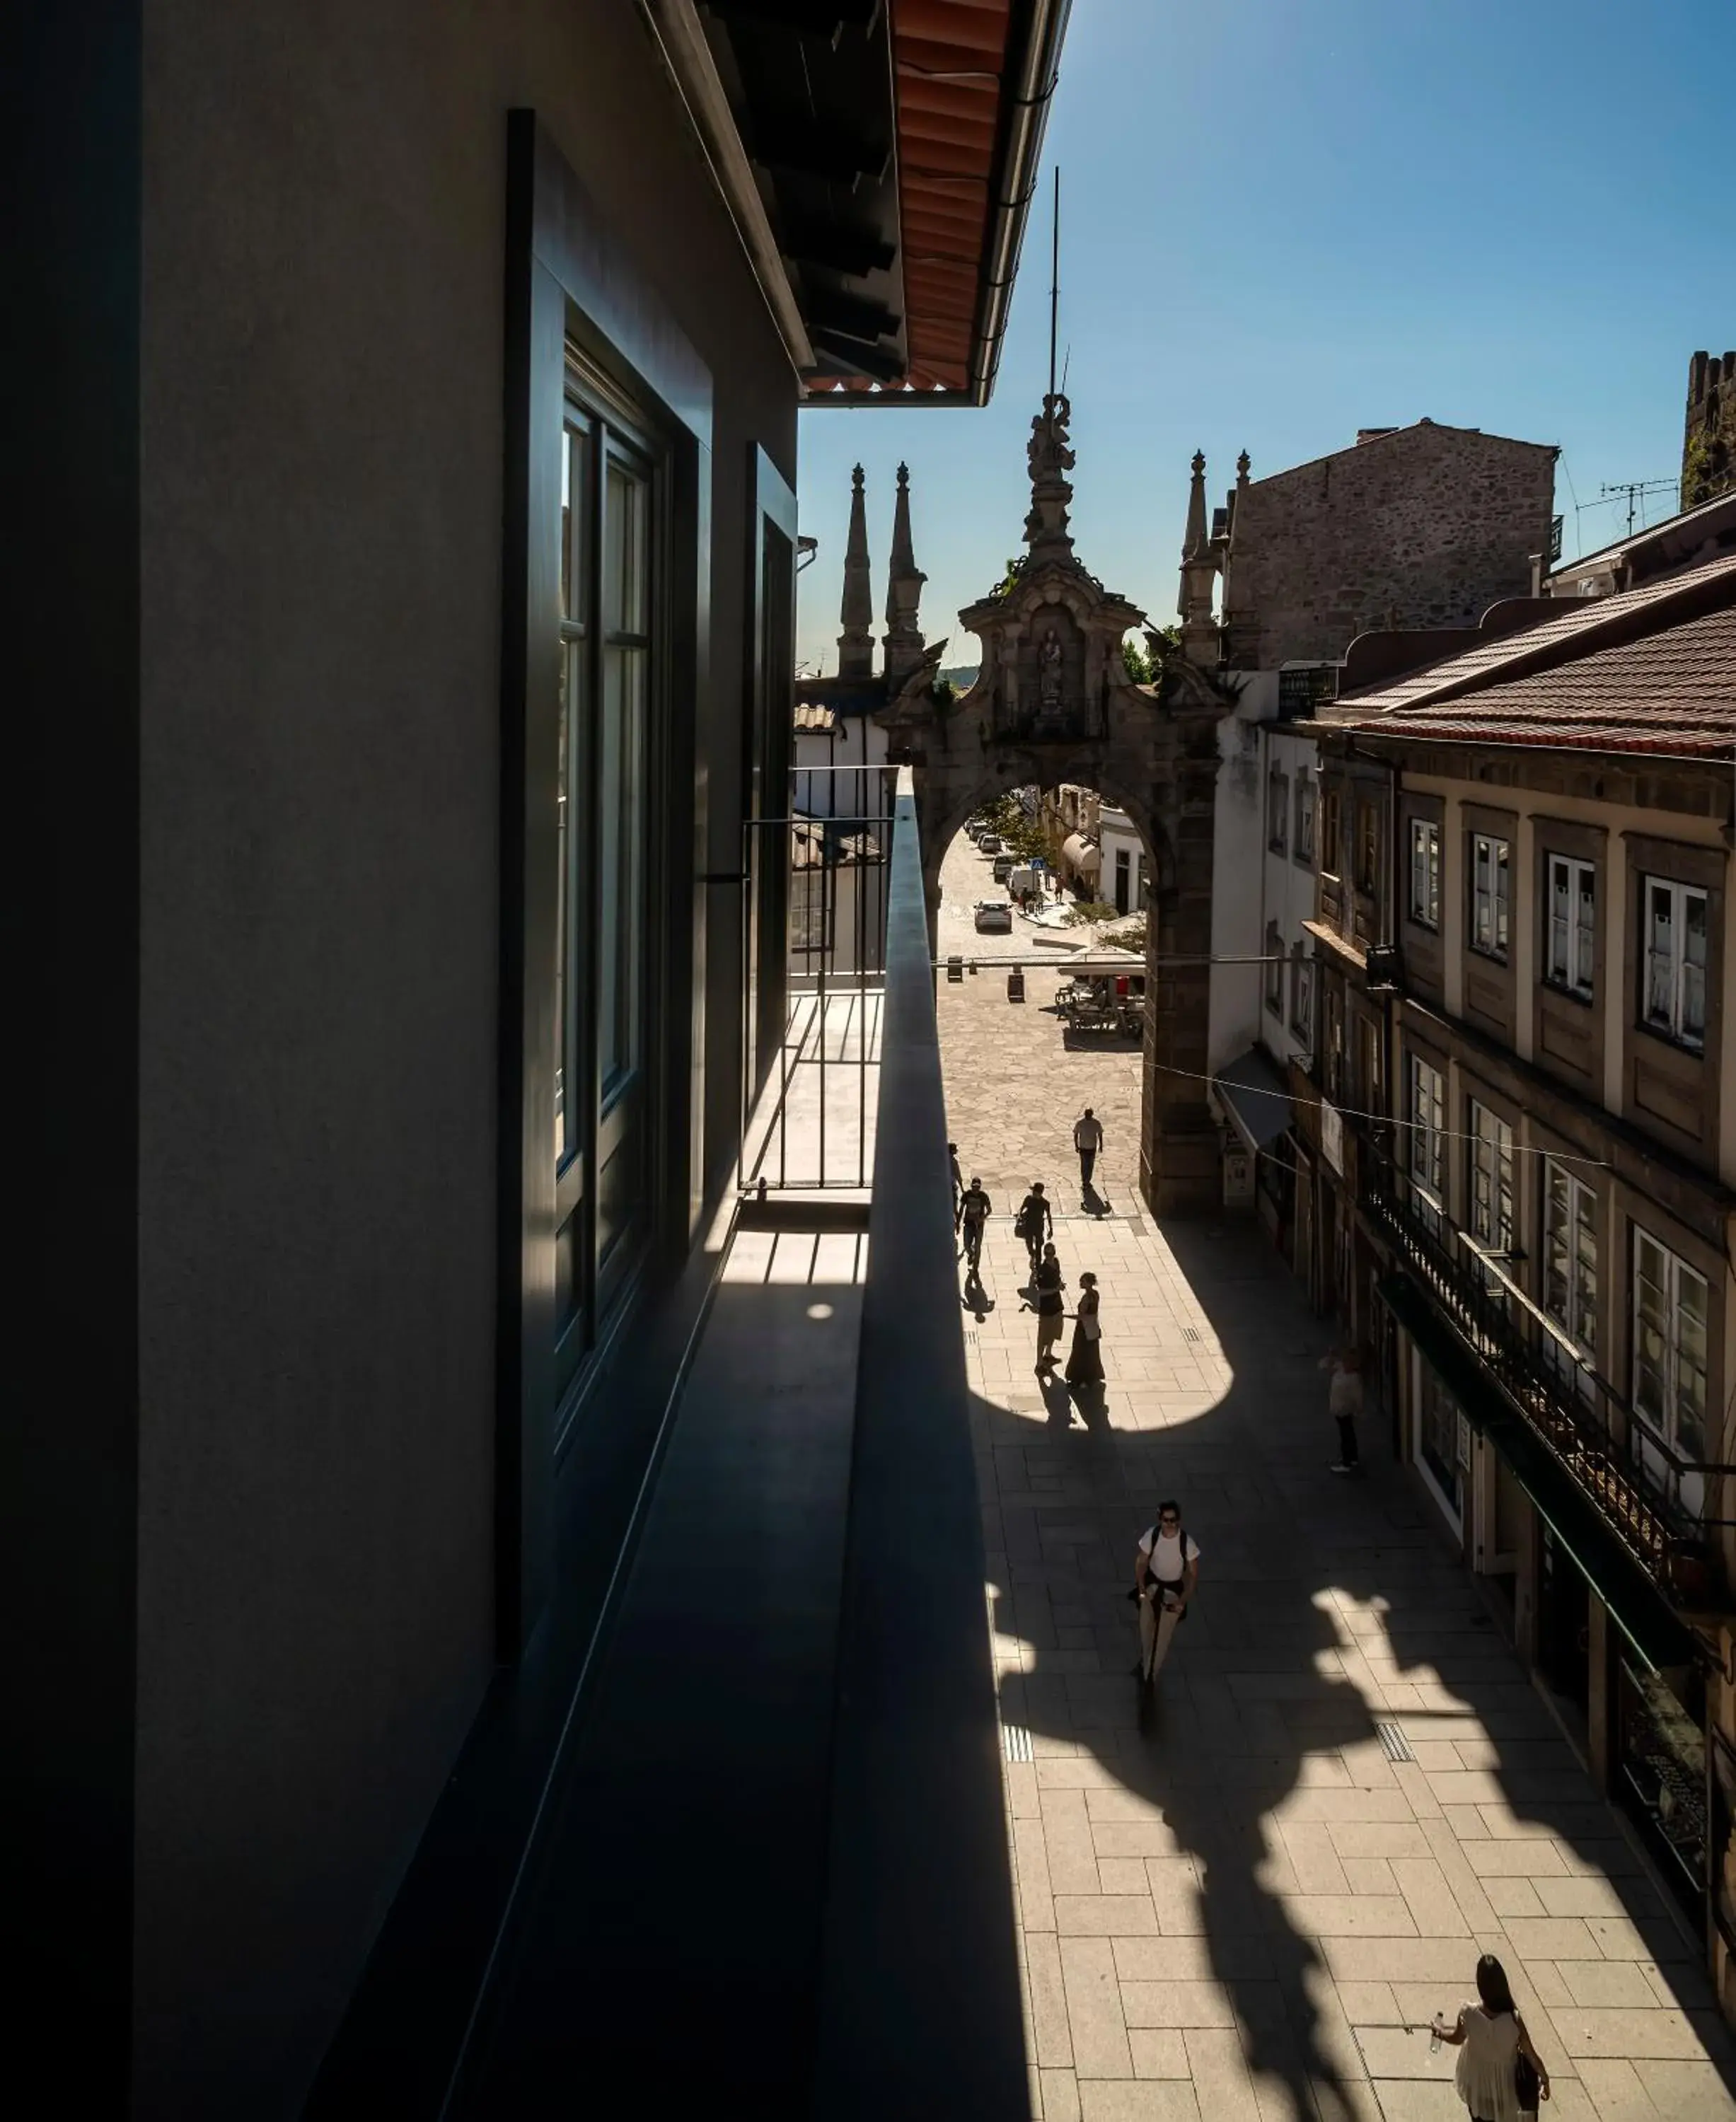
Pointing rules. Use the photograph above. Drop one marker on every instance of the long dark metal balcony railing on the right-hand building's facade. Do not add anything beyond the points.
(1629, 1474)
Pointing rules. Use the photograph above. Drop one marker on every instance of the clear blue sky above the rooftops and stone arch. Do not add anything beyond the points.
(1287, 220)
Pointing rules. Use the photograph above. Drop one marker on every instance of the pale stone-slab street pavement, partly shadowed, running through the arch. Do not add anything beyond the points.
(1234, 1900)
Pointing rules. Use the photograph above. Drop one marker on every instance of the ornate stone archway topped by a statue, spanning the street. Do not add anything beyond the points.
(1054, 703)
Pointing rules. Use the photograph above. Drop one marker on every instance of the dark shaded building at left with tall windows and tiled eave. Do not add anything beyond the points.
(419, 485)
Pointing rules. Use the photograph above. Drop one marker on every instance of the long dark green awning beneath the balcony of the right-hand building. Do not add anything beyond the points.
(1635, 1603)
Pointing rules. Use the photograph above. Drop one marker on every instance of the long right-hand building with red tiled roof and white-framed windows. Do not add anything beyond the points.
(1521, 1119)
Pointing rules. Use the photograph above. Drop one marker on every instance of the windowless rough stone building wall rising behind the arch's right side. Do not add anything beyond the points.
(1412, 527)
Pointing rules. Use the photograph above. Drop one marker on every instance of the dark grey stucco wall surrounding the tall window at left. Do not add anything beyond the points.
(322, 529)
